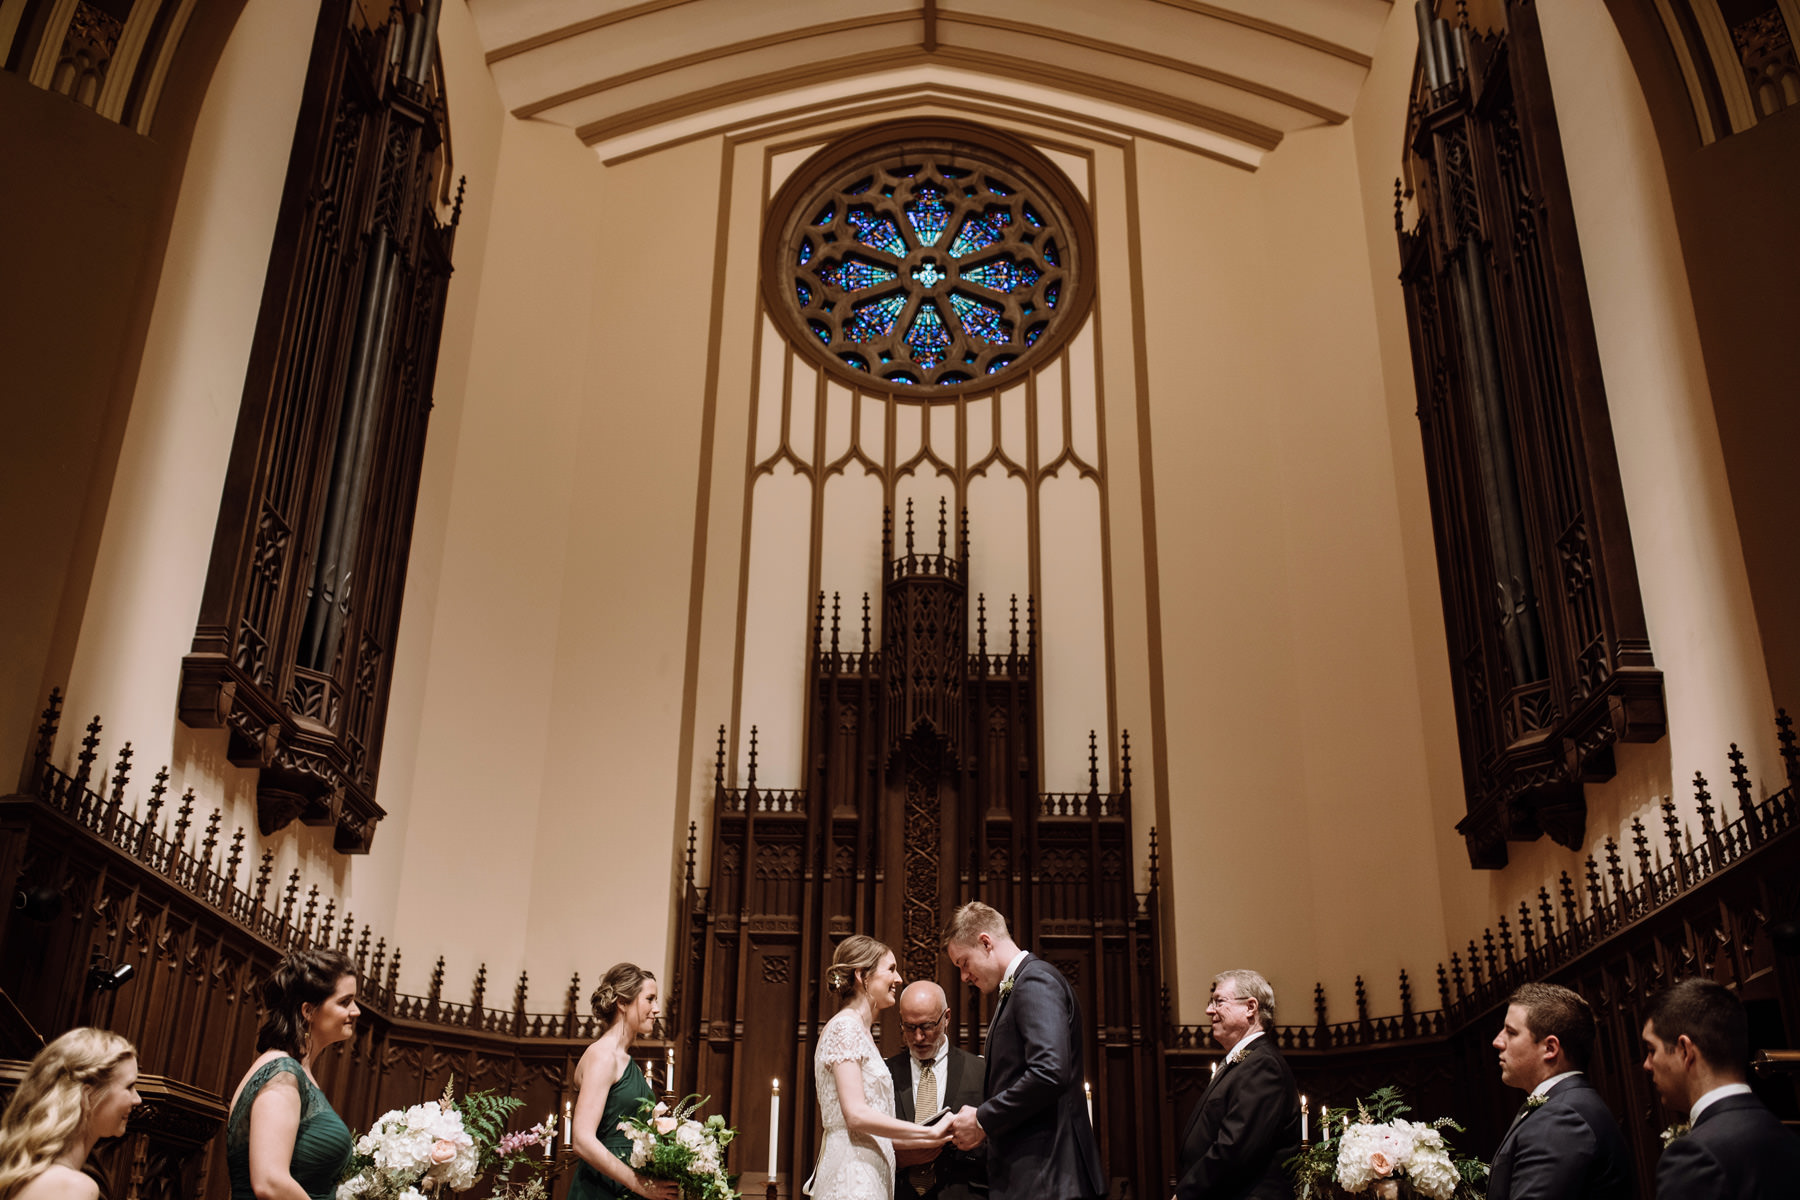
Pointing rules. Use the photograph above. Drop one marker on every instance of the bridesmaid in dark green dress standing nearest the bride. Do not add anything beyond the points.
(611, 1088)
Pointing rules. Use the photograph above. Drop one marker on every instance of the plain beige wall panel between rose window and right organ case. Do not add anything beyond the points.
(1295, 749)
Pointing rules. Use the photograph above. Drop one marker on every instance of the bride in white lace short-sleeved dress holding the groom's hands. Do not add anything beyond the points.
(856, 1088)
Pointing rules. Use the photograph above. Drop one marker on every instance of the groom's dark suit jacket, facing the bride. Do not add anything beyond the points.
(1041, 1145)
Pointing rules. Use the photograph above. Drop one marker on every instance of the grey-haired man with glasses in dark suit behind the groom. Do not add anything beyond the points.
(1246, 1124)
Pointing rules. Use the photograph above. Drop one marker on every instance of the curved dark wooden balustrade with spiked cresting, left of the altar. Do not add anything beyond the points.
(96, 884)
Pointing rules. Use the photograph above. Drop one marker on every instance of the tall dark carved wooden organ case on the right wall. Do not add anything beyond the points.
(1551, 658)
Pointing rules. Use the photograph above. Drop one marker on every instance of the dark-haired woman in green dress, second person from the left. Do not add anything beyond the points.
(283, 1140)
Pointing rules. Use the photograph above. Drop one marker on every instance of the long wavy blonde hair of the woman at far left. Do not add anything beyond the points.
(53, 1100)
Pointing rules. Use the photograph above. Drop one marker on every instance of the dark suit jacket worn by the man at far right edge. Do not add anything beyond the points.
(1738, 1151)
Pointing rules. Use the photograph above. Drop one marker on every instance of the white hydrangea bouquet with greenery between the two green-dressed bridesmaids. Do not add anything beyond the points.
(442, 1145)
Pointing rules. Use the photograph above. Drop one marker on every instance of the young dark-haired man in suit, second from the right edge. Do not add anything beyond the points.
(1565, 1143)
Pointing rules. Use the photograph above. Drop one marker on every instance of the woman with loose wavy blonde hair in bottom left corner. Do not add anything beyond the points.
(80, 1089)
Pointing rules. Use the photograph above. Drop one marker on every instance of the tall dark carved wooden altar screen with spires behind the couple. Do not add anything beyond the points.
(921, 794)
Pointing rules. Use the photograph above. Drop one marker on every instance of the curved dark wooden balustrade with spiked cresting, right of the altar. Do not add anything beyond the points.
(1720, 902)
